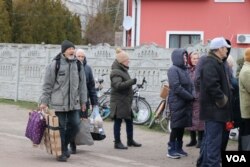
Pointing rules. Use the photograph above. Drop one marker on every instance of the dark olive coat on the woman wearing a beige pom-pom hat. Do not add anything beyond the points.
(121, 92)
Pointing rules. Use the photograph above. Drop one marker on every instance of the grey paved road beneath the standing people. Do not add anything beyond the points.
(16, 150)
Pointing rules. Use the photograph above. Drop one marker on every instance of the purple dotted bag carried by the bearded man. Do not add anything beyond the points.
(35, 127)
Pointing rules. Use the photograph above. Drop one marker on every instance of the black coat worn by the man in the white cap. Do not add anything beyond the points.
(215, 91)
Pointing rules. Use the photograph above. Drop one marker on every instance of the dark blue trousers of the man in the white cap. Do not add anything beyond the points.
(210, 152)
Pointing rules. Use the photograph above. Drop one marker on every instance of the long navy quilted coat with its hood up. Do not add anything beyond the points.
(181, 94)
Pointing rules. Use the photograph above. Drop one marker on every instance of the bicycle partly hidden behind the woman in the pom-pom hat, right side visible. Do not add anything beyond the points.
(140, 107)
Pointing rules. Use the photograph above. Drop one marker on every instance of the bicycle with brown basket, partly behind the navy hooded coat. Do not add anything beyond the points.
(162, 114)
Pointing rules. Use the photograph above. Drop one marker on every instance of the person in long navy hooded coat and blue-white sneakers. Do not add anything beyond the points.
(181, 96)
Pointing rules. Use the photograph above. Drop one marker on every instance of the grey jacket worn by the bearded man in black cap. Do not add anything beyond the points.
(68, 90)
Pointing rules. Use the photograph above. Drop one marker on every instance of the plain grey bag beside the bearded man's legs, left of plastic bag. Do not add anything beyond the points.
(83, 136)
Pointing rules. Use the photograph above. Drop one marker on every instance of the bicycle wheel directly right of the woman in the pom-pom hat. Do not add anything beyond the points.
(141, 111)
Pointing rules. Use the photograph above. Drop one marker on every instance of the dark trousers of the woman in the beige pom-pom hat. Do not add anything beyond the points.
(117, 129)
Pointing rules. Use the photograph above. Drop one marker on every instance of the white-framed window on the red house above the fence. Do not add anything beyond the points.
(182, 39)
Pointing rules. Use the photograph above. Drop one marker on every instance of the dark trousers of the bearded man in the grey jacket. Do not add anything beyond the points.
(69, 126)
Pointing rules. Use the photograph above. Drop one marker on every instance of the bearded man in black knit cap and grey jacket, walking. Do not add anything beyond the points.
(64, 90)
